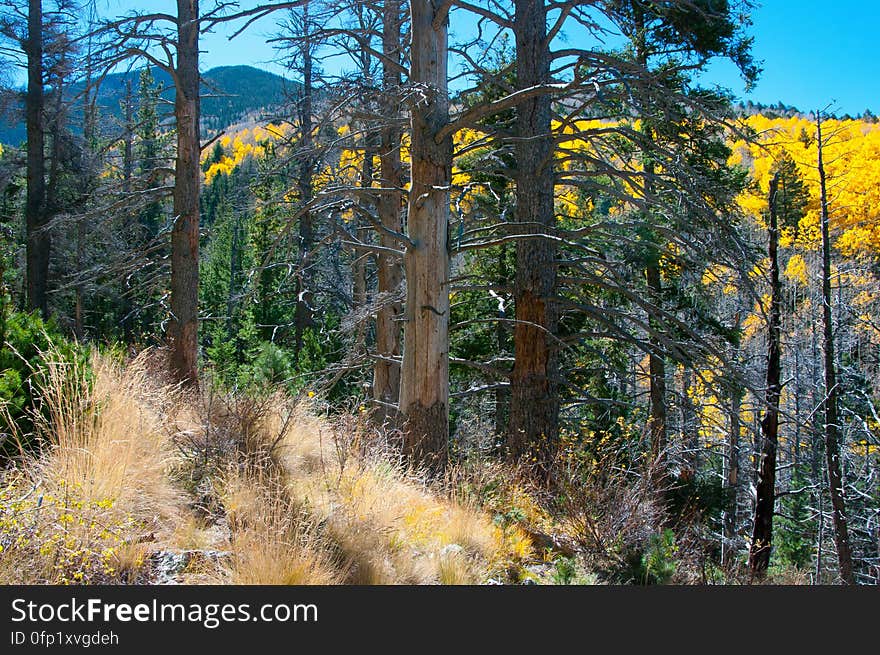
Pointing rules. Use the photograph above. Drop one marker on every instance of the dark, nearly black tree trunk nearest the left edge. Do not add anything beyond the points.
(36, 219)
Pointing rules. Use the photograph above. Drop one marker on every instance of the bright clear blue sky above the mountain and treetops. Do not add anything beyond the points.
(813, 52)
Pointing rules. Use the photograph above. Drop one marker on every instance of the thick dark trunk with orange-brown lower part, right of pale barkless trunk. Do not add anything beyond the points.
(534, 406)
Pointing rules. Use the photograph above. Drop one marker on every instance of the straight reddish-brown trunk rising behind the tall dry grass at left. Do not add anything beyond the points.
(183, 325)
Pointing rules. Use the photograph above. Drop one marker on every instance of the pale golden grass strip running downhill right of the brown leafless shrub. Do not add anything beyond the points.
(388, 525)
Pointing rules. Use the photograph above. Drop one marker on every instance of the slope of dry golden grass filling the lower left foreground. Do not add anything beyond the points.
(141, 483)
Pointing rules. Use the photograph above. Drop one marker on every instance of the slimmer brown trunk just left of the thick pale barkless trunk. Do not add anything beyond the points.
(386, 371)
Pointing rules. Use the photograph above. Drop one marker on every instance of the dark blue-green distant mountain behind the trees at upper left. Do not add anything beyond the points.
(230, 94)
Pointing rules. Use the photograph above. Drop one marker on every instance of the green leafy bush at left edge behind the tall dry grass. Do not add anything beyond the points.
(26, 338)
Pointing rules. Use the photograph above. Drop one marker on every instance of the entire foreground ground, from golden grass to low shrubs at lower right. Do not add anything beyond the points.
(139, 482)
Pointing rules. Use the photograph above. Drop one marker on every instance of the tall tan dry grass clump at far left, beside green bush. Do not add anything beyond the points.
(85, 508)
